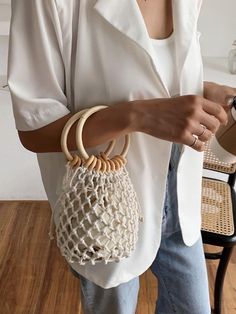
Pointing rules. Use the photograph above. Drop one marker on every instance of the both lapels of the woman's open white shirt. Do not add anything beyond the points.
(126, 17)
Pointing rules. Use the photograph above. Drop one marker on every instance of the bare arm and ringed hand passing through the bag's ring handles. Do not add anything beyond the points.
(172, 119)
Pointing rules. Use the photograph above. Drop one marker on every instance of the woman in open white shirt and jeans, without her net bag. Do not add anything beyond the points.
(143, 60)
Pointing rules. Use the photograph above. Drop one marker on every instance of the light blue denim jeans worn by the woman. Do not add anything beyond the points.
(180, 270)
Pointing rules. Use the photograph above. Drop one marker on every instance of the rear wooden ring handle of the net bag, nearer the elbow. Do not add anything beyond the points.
(65, 133)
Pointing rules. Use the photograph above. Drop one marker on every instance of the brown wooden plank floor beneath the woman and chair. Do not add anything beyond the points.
(34, 279)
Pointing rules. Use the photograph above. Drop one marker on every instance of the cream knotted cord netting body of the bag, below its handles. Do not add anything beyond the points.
(98, 215)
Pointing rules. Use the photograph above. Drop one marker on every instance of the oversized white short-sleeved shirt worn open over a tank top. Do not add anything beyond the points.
(68, 55)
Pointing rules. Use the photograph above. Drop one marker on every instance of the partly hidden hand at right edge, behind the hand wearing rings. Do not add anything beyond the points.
(218, 93)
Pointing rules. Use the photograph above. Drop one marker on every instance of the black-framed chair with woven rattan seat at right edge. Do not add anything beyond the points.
(219, 217)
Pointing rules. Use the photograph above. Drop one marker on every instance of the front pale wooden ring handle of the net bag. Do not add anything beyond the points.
(79, 129)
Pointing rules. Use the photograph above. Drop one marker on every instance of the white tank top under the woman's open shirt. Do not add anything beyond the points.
(166, 64)
